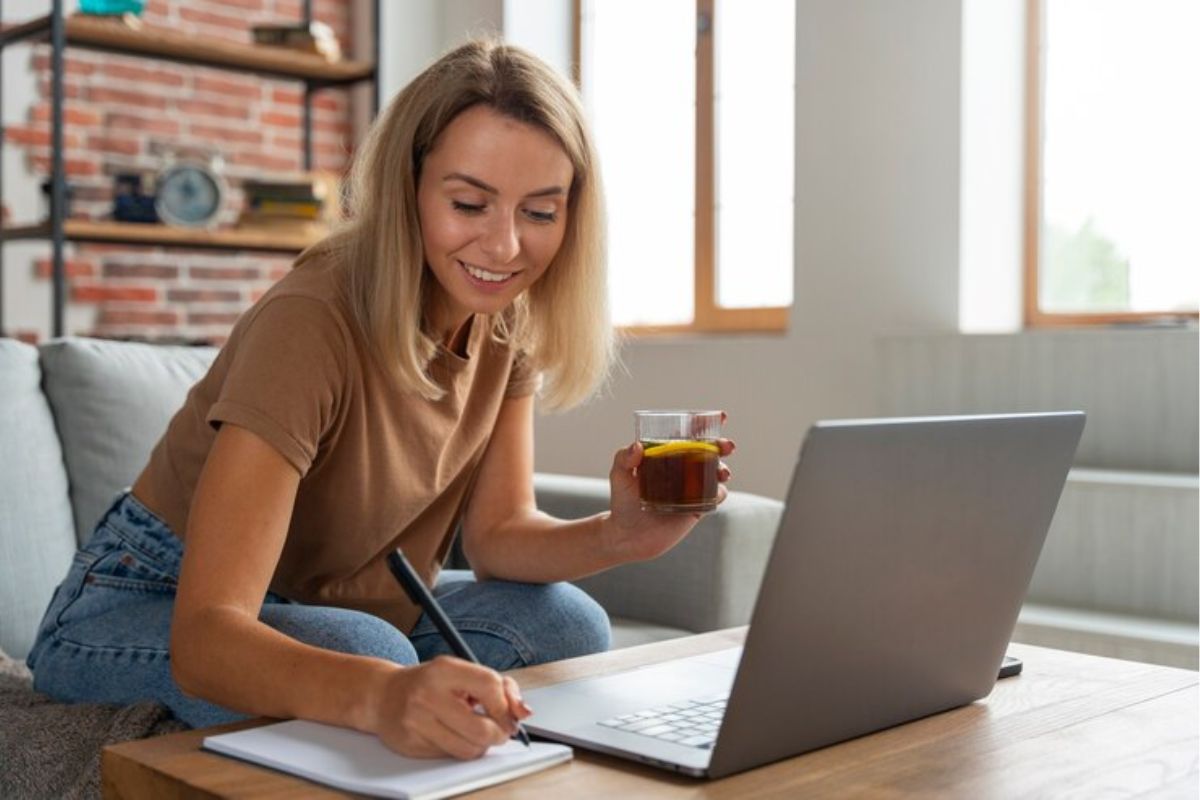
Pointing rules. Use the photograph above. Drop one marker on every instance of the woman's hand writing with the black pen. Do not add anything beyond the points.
(447, 707)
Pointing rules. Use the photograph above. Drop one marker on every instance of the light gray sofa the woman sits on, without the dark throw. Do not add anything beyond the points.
(80, 417)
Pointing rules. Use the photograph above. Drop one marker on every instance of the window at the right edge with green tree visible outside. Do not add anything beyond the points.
(1114, 161)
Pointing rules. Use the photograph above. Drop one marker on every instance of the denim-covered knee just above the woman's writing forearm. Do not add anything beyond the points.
(343, 630)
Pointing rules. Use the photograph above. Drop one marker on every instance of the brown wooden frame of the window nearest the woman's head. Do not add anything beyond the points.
(709, 317)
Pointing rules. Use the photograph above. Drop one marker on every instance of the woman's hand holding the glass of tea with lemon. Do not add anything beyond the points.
(638, 536)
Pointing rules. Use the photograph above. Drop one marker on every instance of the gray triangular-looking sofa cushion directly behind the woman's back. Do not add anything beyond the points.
(112, 401)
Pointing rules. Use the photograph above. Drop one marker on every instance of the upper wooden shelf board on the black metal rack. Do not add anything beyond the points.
(112, 34)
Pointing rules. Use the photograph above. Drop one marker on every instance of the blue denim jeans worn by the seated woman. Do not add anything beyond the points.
(105, 635)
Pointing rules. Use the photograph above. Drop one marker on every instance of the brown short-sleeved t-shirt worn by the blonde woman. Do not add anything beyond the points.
(380, 470)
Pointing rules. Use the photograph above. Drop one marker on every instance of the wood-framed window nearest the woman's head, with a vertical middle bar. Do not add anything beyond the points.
(693, 107)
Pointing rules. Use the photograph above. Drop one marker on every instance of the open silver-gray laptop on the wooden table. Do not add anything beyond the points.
(898, 570)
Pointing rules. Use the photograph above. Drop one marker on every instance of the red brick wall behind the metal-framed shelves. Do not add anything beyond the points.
(133, 115)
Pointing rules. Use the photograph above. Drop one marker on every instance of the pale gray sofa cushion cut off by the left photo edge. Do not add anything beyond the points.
(37, 527)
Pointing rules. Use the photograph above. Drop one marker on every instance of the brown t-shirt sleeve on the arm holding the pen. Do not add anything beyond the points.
(286, 377)
